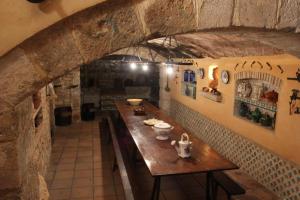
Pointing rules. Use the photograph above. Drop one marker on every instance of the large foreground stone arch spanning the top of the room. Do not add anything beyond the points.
(109, 26)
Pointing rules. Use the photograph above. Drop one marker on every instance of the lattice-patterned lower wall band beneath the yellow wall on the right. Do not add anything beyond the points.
(277, 174)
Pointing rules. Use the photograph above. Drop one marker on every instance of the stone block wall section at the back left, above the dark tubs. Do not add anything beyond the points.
(67, 89)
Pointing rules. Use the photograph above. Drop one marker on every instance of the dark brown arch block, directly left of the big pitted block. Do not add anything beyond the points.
(53, 50)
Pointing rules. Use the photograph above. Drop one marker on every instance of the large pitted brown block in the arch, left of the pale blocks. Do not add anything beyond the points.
(97, 30)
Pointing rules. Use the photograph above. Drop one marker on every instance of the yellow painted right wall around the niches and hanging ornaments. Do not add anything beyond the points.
(285, 139)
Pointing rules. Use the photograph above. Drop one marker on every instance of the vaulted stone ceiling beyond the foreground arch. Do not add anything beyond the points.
(216, 44)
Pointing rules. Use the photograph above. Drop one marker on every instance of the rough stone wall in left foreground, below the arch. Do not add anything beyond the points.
(24, 157)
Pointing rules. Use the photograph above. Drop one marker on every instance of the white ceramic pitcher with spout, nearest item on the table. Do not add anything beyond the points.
(184, 146)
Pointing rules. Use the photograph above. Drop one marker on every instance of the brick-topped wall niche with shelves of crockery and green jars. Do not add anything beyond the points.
(256, 99)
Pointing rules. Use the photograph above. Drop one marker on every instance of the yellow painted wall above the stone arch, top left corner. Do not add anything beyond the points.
(20, 19)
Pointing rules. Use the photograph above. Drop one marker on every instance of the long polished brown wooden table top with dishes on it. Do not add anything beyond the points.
(160, 156)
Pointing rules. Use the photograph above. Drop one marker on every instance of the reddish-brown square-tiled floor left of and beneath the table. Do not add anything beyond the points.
(81, 169)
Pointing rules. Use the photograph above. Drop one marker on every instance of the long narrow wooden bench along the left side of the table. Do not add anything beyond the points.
(119, 161)
